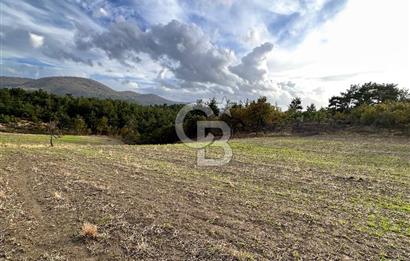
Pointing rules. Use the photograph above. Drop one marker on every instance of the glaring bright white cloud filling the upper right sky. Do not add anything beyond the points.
(368, 41)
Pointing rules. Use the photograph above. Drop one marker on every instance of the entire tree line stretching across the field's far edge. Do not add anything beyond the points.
(370, 104)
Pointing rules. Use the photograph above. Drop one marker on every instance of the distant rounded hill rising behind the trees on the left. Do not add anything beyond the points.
(80, 87)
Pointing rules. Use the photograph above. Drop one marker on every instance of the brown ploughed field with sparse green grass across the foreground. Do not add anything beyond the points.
(344, 197)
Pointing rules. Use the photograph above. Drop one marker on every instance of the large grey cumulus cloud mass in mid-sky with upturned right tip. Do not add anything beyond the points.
(188, 58)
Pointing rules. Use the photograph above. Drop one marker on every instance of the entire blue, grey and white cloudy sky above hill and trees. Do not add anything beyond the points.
(189, 49)
